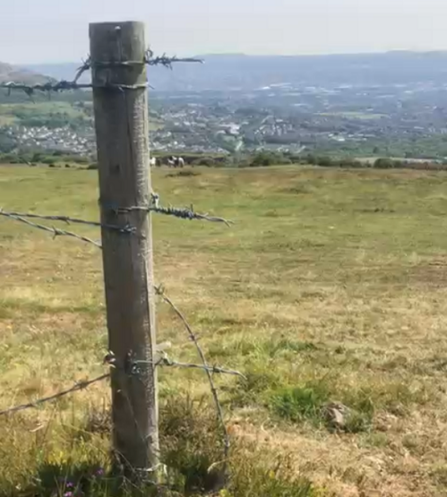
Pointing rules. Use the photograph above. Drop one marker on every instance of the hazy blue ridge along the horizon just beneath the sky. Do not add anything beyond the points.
(247, 72)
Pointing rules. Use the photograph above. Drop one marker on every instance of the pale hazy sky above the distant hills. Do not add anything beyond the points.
(57, 30)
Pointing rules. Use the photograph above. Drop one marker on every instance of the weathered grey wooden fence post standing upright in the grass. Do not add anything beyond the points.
(121, 120)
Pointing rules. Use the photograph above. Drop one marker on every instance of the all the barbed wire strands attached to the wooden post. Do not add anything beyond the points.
(130, 366)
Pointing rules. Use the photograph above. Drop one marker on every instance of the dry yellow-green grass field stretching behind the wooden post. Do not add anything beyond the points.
(329, 288)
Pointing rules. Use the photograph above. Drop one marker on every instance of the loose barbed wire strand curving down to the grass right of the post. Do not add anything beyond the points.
(159, 290)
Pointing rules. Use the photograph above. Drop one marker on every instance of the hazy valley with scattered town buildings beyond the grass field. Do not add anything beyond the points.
(334, 110)
